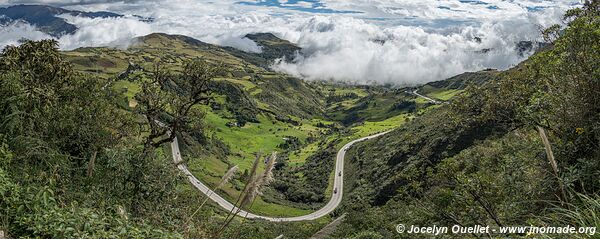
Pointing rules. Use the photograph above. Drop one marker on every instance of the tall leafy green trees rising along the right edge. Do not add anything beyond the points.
(567, 103)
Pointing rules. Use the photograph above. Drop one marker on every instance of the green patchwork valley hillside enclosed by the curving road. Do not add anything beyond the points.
(255, 110)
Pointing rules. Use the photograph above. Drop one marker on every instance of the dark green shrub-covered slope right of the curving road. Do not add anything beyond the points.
(482, 160)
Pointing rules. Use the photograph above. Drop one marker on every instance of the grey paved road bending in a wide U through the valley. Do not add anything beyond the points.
(334, 201)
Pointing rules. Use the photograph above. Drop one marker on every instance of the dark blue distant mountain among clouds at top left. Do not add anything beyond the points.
(46, 18)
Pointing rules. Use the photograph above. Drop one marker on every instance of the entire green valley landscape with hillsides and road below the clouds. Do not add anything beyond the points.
(96, 142)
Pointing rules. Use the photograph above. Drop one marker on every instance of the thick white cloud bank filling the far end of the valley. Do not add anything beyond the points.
(357, 52)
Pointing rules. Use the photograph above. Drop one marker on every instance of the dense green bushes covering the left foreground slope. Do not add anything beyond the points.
(62, 138)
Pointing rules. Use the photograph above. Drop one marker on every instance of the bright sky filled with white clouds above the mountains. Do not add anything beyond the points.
(398, 42)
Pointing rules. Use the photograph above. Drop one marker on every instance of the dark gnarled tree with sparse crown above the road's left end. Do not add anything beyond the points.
(168, 100)
